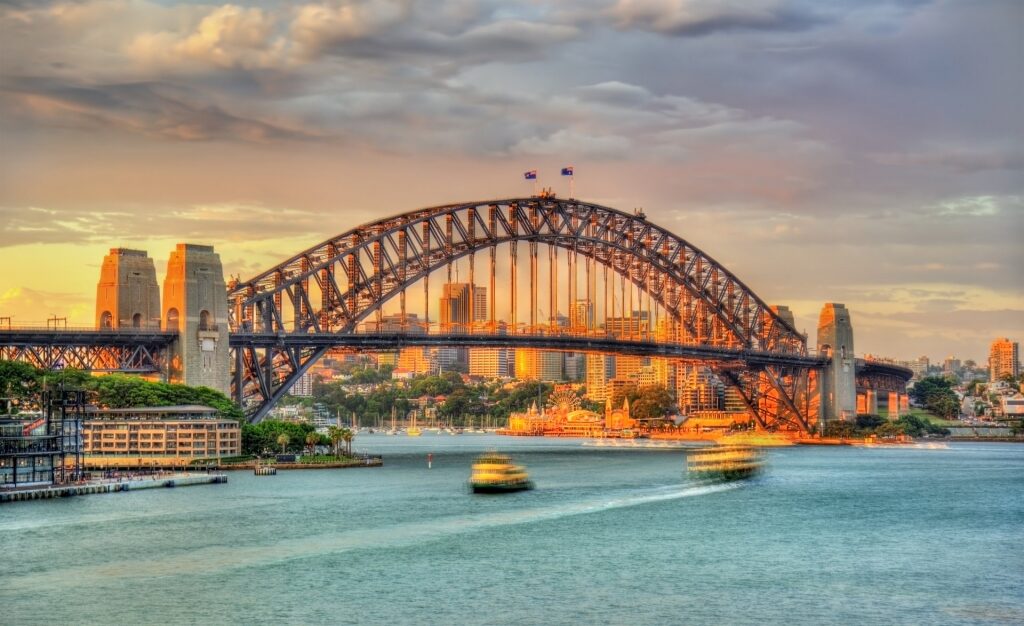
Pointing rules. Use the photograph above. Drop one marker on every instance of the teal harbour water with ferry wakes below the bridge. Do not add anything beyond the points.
(610, 536)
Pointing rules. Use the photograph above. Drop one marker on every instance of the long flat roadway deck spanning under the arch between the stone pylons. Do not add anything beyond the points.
(390, 342)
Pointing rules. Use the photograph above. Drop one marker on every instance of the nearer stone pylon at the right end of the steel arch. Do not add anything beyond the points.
(839, 386)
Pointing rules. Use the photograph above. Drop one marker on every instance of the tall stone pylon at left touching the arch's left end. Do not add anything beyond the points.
(196, 306)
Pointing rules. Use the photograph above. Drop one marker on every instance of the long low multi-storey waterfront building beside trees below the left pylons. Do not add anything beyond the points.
(157, 436)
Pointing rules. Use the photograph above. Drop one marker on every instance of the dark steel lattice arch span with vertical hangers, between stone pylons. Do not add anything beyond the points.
(285, 319)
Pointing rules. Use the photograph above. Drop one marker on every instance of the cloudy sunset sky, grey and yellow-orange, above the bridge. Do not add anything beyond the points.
(865, 152)
